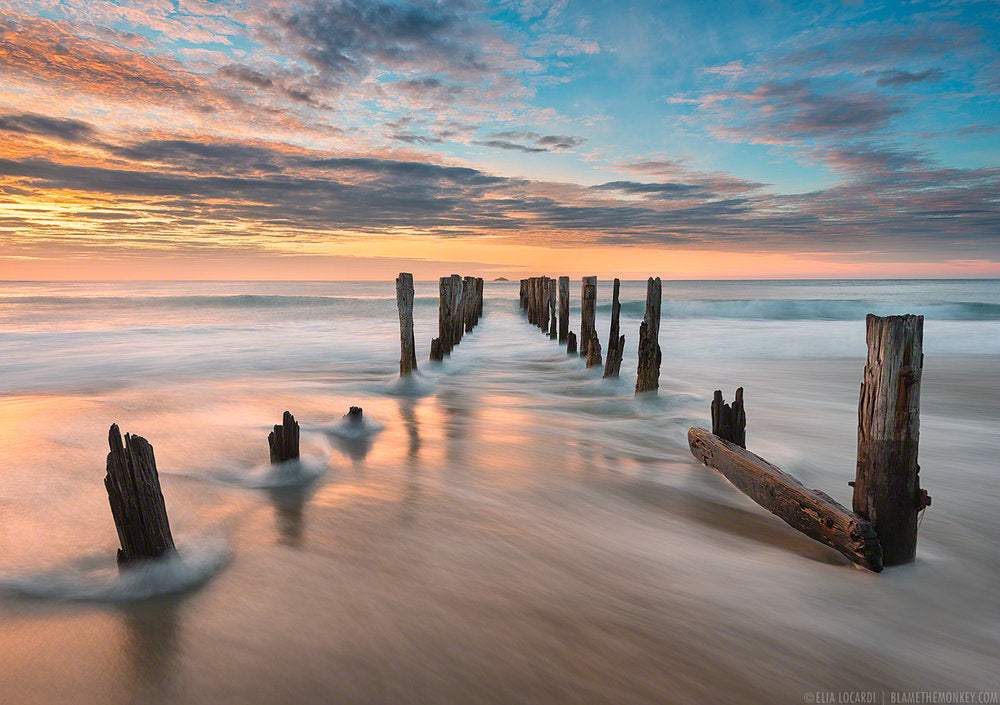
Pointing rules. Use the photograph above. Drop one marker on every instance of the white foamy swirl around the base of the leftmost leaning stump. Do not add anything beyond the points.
(192, 565)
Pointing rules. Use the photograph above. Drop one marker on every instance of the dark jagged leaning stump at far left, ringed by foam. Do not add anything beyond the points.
(136, 501)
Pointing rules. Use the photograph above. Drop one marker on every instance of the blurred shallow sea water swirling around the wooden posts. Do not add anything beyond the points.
(514, 528)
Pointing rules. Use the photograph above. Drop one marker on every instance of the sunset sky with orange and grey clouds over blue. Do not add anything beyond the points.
(353, 139)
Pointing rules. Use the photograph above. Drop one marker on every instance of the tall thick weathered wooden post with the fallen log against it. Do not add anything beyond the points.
(887, 485)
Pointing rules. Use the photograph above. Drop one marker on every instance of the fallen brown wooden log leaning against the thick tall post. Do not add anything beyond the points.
(812, 512)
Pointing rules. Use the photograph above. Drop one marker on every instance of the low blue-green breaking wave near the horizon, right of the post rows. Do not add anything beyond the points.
(811, 309)
